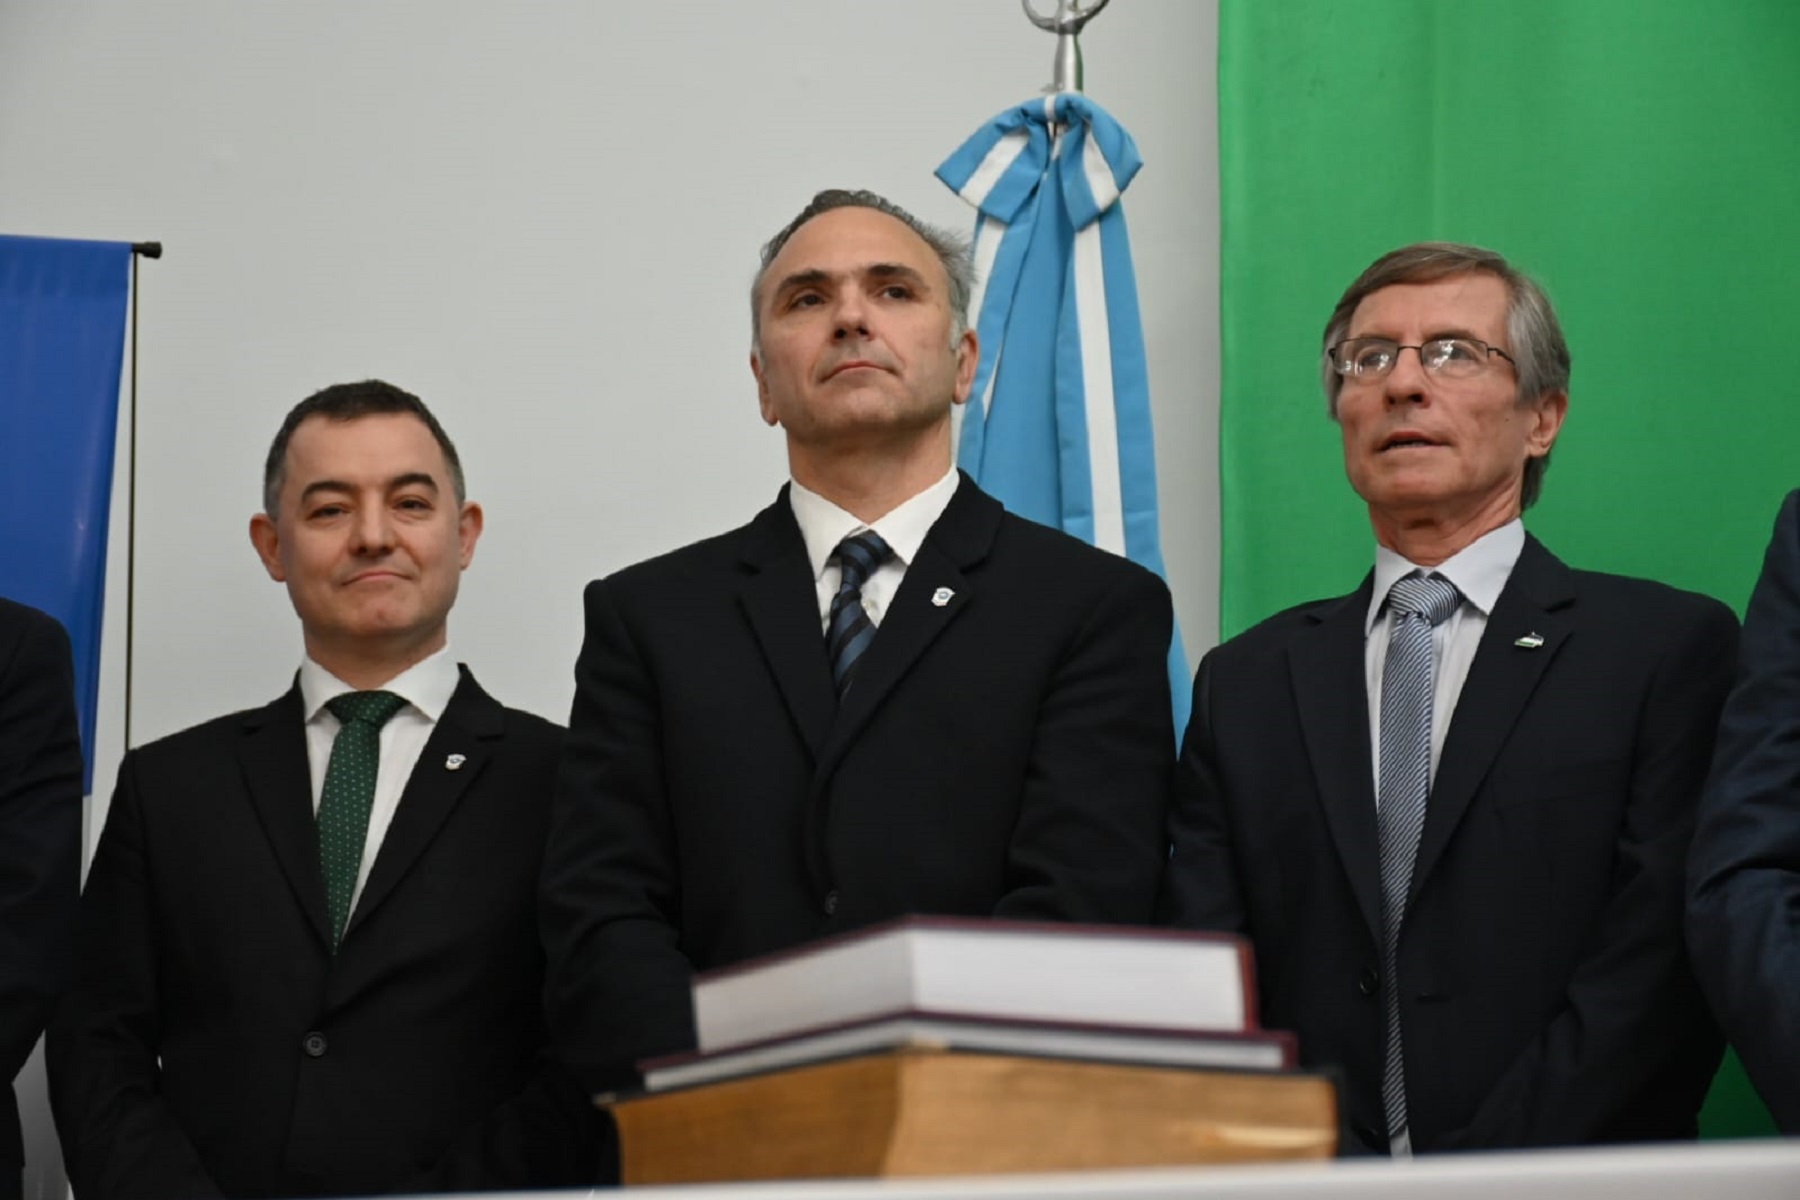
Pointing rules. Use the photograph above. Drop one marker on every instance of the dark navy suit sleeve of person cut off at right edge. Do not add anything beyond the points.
(1745, 870)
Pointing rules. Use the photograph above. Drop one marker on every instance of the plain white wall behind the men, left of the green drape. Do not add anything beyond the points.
(541, 217)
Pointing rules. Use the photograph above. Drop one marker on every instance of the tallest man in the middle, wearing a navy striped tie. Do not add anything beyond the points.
(885, 695)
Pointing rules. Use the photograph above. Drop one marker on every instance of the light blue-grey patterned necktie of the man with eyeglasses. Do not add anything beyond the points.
(1419, 604)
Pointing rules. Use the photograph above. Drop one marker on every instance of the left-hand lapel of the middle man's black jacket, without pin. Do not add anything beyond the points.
(782, 607)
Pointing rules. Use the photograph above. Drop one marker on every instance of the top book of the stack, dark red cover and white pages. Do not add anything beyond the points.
(1014, 971)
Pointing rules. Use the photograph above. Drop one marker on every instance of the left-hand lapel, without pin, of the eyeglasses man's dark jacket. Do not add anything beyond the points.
(1331, 695)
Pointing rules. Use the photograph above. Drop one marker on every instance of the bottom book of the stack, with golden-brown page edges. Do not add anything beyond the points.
(946, 1113)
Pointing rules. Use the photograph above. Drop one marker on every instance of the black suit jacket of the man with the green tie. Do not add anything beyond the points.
(213, 1044)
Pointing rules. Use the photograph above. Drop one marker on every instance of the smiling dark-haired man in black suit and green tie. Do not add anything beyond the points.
(309, 958)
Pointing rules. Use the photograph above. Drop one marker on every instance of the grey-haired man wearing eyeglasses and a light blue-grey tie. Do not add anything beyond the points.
(1452, 809)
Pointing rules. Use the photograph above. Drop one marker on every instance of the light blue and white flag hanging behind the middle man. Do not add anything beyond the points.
(1059, 420)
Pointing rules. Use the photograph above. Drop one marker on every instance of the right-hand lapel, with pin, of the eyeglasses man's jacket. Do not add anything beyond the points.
(1536, 604)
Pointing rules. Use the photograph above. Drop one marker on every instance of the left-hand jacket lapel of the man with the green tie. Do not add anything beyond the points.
(273, 755)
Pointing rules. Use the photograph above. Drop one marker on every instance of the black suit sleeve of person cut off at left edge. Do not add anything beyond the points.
(40, 841)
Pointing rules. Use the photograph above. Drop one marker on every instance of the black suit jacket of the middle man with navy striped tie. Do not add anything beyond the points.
(1003, 753)
